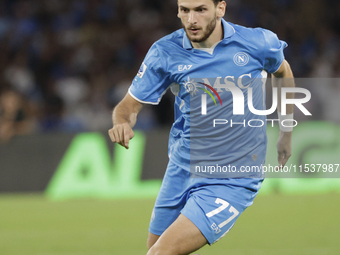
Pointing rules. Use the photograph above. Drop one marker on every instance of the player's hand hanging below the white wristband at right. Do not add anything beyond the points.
(284, 147)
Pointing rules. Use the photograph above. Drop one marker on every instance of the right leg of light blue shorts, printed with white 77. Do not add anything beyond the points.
(214, 209)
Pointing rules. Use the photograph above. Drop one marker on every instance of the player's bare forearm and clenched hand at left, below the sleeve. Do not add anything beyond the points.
(124, 117)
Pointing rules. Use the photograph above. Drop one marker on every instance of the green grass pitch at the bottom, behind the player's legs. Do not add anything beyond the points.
(275, 224)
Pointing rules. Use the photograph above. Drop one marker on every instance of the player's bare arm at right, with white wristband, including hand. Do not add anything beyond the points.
(283, 77)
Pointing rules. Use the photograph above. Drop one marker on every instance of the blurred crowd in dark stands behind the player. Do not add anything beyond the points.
(65, 64)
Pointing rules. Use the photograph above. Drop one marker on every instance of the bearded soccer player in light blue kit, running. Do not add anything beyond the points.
(229, 63)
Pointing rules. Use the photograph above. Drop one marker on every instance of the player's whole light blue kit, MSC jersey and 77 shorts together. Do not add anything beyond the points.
(214, 128)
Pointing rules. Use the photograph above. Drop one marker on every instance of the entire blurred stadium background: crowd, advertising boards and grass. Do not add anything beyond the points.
(65, 64)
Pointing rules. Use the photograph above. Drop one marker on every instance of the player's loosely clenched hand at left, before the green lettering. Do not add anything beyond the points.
(121, 134)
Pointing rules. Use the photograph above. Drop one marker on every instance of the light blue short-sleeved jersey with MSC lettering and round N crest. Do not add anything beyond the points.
(213, 124)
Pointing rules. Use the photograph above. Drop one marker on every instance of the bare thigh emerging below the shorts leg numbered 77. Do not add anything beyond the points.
(182, 237)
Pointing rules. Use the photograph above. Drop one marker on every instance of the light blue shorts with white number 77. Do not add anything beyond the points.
(213, 205)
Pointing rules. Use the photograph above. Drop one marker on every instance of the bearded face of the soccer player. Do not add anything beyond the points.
(198, 18)
